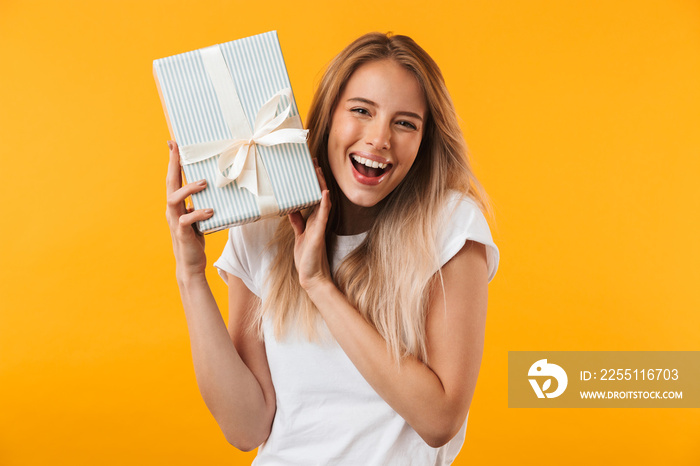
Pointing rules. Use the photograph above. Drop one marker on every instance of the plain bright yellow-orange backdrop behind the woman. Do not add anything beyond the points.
(583, 119)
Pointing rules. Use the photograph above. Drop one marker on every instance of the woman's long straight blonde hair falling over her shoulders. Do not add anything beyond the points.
(388, 286)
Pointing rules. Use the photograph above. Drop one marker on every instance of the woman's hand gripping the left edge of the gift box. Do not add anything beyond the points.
(188, 243)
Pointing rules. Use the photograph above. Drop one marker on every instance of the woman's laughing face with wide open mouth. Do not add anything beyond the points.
(376, 130)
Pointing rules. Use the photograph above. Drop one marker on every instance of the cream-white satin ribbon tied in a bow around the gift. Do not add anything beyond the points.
(235, 154)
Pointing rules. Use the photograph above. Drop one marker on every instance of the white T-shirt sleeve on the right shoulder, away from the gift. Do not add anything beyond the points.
(463, 221)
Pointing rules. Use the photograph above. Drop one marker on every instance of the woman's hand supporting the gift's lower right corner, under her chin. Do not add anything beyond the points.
(310, 241)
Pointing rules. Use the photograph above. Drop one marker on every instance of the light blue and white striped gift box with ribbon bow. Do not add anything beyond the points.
(231, 110)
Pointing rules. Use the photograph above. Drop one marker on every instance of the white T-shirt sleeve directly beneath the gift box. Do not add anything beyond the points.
(245, 254)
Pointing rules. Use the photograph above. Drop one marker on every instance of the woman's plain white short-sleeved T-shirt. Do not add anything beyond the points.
(327, 413)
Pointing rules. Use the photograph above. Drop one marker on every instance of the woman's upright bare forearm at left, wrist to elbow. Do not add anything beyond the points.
(228, 387)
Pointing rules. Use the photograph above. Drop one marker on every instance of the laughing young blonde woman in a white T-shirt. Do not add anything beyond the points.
(355, 333)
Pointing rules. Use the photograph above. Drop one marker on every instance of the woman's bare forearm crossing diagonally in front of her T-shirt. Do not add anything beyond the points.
(412, 388)
